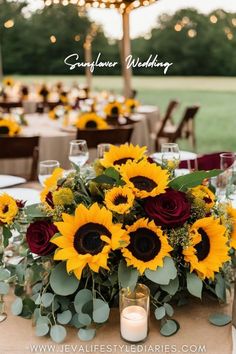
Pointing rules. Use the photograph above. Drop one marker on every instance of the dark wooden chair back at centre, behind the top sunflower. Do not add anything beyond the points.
(115, 136)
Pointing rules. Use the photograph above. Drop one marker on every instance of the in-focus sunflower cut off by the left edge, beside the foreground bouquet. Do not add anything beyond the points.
(8, 209)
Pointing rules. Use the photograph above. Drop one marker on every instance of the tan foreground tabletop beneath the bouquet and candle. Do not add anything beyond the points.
(17, 334)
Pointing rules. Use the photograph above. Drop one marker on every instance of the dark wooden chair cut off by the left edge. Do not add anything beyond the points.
(21, 147)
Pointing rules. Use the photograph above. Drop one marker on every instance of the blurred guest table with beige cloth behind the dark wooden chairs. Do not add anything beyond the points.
(54, 141)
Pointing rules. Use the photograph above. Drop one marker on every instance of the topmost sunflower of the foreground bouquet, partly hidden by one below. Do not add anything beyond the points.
(119, 155)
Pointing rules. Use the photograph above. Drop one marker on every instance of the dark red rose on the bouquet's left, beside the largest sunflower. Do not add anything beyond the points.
(38, 237)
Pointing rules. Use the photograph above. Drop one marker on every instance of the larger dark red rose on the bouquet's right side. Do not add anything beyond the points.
(170, 209)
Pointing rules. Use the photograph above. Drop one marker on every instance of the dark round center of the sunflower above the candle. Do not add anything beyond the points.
(144, 244)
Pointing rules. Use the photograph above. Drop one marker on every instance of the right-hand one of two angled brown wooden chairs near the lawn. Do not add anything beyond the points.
(185, 129)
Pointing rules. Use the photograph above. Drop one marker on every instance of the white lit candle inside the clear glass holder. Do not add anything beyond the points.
(134, 323)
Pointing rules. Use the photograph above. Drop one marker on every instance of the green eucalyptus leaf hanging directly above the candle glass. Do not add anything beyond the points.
(127, 276)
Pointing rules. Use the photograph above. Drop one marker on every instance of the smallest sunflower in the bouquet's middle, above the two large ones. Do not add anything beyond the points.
(119, 199)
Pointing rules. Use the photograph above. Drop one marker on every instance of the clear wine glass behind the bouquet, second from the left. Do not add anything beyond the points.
(79, 153)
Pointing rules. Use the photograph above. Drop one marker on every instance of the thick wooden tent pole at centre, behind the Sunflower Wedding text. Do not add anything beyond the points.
(126, 51)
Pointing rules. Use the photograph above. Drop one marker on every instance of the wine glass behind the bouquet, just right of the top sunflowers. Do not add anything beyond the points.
(170, 156)
